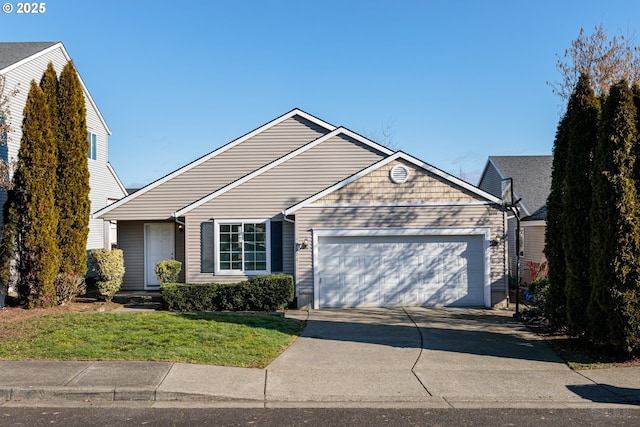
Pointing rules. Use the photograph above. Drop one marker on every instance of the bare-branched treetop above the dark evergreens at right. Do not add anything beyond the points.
(607, 61)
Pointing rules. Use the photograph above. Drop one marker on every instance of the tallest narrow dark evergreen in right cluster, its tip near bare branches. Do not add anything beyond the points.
(582, 112)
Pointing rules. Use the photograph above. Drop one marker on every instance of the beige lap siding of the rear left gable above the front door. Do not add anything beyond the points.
(220, 170)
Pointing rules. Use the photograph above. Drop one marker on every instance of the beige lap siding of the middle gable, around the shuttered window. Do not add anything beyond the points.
(267, 195)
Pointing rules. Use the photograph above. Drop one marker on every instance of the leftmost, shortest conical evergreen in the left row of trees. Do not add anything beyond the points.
(37, 218)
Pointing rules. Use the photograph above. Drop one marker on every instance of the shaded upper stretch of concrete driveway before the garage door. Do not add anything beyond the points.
(467, 331)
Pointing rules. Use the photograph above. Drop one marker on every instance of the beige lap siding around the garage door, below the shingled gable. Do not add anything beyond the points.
(399, 217)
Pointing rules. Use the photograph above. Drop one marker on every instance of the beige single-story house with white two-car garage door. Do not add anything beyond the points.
(355, 223)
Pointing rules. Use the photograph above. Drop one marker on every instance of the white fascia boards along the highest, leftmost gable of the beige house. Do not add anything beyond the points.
(218, 151)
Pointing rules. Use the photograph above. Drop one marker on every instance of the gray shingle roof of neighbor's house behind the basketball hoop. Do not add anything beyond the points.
(531, 178)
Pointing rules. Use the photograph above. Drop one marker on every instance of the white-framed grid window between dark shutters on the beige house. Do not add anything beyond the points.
(243, 246)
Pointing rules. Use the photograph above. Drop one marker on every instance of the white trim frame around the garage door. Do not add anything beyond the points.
(483, 232)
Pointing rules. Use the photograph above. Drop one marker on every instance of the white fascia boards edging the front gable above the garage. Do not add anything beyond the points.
(398, 155)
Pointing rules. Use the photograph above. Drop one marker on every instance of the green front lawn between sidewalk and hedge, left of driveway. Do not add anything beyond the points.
(217, 339)
